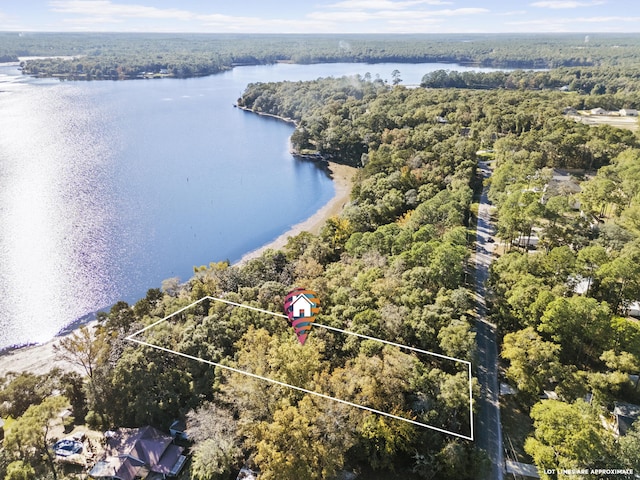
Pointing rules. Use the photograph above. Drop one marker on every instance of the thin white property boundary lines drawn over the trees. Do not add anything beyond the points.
(304, 390)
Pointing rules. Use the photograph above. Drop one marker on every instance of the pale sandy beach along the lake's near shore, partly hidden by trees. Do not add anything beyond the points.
(40, 359)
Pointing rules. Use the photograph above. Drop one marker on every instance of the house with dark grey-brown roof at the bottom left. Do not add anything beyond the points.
(132, 453)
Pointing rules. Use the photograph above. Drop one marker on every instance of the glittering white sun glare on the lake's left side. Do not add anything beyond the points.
(53, 224)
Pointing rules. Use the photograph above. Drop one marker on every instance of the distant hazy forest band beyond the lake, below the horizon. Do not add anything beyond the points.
(100, 55)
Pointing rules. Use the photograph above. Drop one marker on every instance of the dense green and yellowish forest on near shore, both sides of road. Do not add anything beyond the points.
(396, 265)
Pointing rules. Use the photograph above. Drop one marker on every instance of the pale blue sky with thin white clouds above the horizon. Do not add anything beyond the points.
(321, 16)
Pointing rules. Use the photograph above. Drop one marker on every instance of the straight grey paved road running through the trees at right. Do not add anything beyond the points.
(487, 427)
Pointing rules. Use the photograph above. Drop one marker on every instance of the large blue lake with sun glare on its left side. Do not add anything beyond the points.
(107, 188)
